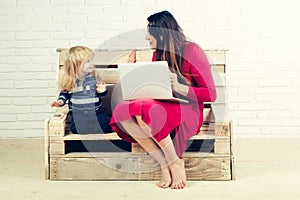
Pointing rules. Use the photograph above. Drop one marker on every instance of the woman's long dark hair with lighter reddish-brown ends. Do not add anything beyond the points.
(170, 39)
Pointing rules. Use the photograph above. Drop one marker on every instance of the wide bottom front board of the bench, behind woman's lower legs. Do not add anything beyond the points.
(134, 168)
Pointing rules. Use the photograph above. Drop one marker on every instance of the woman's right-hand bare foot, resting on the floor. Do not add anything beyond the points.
(178, 174)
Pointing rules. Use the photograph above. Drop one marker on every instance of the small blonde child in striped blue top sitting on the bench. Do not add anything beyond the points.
(82, 87)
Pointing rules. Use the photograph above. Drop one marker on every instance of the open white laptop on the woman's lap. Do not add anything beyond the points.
(146, 80)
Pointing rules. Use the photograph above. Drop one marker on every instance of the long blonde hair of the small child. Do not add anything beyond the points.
(76, 57)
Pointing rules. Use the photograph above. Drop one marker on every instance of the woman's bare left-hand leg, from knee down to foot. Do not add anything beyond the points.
(150, 146)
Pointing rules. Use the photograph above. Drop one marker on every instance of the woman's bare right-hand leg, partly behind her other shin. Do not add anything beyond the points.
(175, 164)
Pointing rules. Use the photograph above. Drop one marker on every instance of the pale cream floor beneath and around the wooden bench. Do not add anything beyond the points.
(267, 168)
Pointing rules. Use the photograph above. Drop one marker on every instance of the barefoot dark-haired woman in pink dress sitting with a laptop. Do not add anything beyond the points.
(163, 128)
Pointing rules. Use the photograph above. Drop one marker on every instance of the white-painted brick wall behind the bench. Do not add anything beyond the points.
(263, 57)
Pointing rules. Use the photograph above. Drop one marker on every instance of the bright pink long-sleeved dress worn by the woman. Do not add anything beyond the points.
(182, 121)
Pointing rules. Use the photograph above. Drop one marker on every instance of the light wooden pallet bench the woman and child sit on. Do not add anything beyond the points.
(71, 156)
